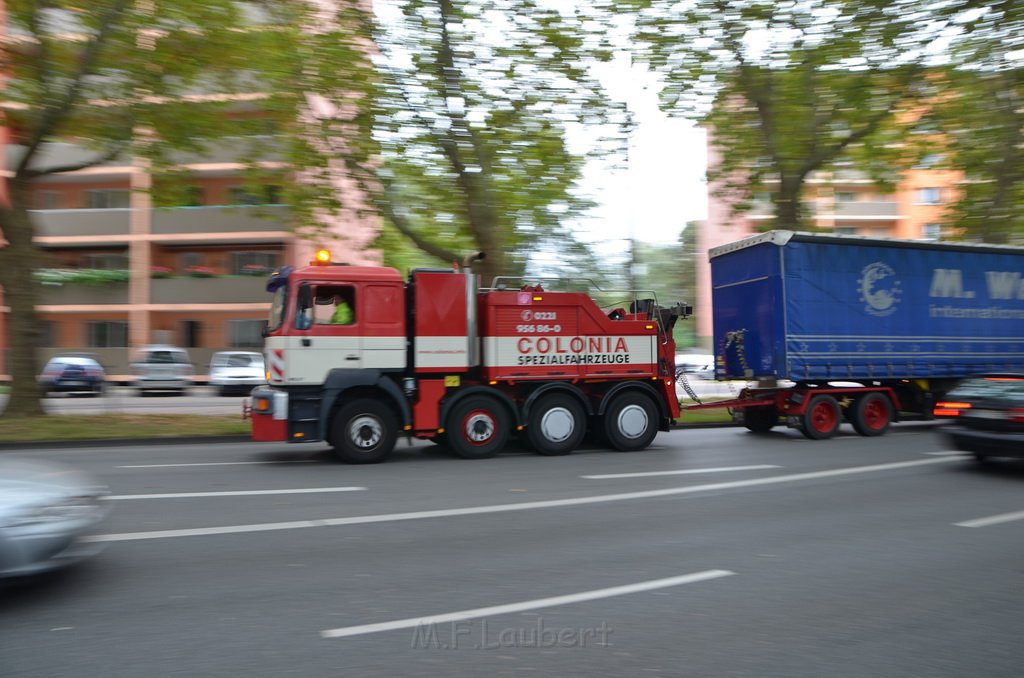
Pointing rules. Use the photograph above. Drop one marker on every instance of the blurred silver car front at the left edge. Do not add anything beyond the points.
(46, 510)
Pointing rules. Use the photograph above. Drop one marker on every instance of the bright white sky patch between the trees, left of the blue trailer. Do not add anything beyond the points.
(663, 187)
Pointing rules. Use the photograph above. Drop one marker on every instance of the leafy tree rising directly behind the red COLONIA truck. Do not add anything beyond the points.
(470, 111)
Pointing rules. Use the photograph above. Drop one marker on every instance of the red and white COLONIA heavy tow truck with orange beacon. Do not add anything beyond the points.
(436, 357)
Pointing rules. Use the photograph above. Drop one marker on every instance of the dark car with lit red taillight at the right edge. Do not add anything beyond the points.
(987, 416)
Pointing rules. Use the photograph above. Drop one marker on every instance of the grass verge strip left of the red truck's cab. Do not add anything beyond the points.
(99, 428)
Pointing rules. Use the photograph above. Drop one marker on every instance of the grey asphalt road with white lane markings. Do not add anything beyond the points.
(715, 554)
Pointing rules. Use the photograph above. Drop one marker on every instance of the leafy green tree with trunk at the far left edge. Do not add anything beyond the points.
(142, 80)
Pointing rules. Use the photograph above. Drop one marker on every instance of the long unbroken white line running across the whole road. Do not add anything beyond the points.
(501, 508)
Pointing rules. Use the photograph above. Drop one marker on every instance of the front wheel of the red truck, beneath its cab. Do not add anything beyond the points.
(364, 432)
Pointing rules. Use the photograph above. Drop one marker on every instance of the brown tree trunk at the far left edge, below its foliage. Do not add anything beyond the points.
(19, 261)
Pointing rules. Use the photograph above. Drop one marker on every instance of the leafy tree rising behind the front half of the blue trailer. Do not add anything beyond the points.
(789, 89)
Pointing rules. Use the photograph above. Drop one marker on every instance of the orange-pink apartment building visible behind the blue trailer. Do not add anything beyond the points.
(845, 202)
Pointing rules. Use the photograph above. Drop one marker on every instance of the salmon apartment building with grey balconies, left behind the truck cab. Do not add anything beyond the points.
(120, 273)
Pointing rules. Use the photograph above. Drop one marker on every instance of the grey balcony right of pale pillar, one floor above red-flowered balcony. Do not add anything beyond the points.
(176, 221)
